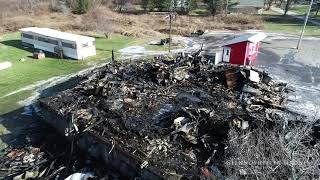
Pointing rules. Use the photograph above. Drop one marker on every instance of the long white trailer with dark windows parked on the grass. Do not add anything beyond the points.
(70, 45)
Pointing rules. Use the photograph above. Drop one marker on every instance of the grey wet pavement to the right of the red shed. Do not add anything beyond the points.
(300, 69)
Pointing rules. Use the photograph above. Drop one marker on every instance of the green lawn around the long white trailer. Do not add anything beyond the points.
(30, 71)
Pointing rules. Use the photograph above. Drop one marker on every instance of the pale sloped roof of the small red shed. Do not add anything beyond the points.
(251, 37)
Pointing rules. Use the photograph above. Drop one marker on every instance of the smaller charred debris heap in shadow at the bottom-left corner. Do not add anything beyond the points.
(41, 153)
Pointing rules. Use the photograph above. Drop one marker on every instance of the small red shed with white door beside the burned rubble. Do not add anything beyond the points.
(242, 50)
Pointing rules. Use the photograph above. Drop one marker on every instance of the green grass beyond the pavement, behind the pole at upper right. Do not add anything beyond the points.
(275, 22)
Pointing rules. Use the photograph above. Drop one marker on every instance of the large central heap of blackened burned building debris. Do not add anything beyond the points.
(164, 119)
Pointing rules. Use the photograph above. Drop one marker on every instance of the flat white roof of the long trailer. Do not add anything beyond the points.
(58, 34)
